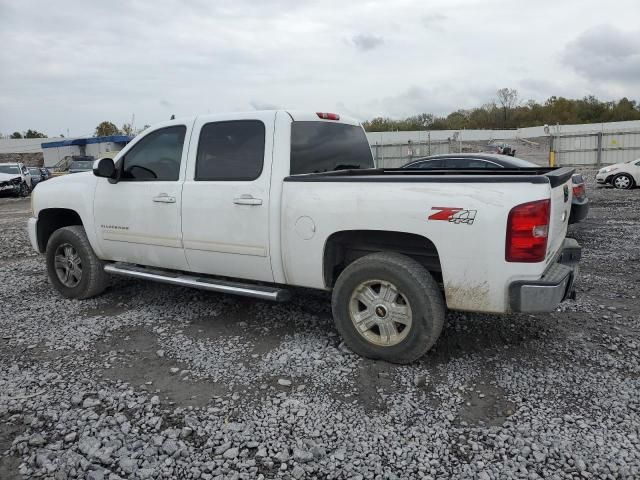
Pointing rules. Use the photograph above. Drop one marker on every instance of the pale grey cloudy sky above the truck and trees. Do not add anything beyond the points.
(71, 64)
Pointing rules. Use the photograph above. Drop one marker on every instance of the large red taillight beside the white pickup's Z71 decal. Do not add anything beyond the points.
(527, 232)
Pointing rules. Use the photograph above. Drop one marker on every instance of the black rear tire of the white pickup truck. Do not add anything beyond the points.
(415, 287)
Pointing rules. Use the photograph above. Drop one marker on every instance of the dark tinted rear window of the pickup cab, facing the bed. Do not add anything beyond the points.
(323, 147)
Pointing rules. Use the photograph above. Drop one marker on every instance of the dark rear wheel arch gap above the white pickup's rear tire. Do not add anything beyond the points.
(343, 247)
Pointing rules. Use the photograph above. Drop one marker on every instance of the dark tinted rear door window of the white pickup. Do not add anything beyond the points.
(231, 150)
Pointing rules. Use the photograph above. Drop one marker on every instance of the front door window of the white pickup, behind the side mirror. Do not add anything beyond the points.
(156, 157)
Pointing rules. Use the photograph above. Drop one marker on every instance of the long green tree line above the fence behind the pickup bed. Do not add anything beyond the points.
(507, 112)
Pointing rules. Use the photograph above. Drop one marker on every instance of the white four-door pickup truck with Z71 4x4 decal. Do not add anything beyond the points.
(258, 203)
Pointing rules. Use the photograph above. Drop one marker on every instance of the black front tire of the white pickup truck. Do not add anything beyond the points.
(92, 279)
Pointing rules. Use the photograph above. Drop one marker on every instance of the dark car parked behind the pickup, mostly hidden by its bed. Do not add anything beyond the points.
(579, 201)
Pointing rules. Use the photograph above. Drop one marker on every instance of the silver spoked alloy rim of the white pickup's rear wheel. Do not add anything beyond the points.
(380, 313)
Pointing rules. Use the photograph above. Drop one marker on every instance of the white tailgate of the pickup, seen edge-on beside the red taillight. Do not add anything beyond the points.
(561, 194)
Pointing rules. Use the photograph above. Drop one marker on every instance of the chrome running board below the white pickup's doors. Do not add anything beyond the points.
(201, 282)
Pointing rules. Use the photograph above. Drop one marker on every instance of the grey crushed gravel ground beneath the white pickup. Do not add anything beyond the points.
(153, 381)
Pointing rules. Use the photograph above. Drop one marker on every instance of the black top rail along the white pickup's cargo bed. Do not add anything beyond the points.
(553, 175)
